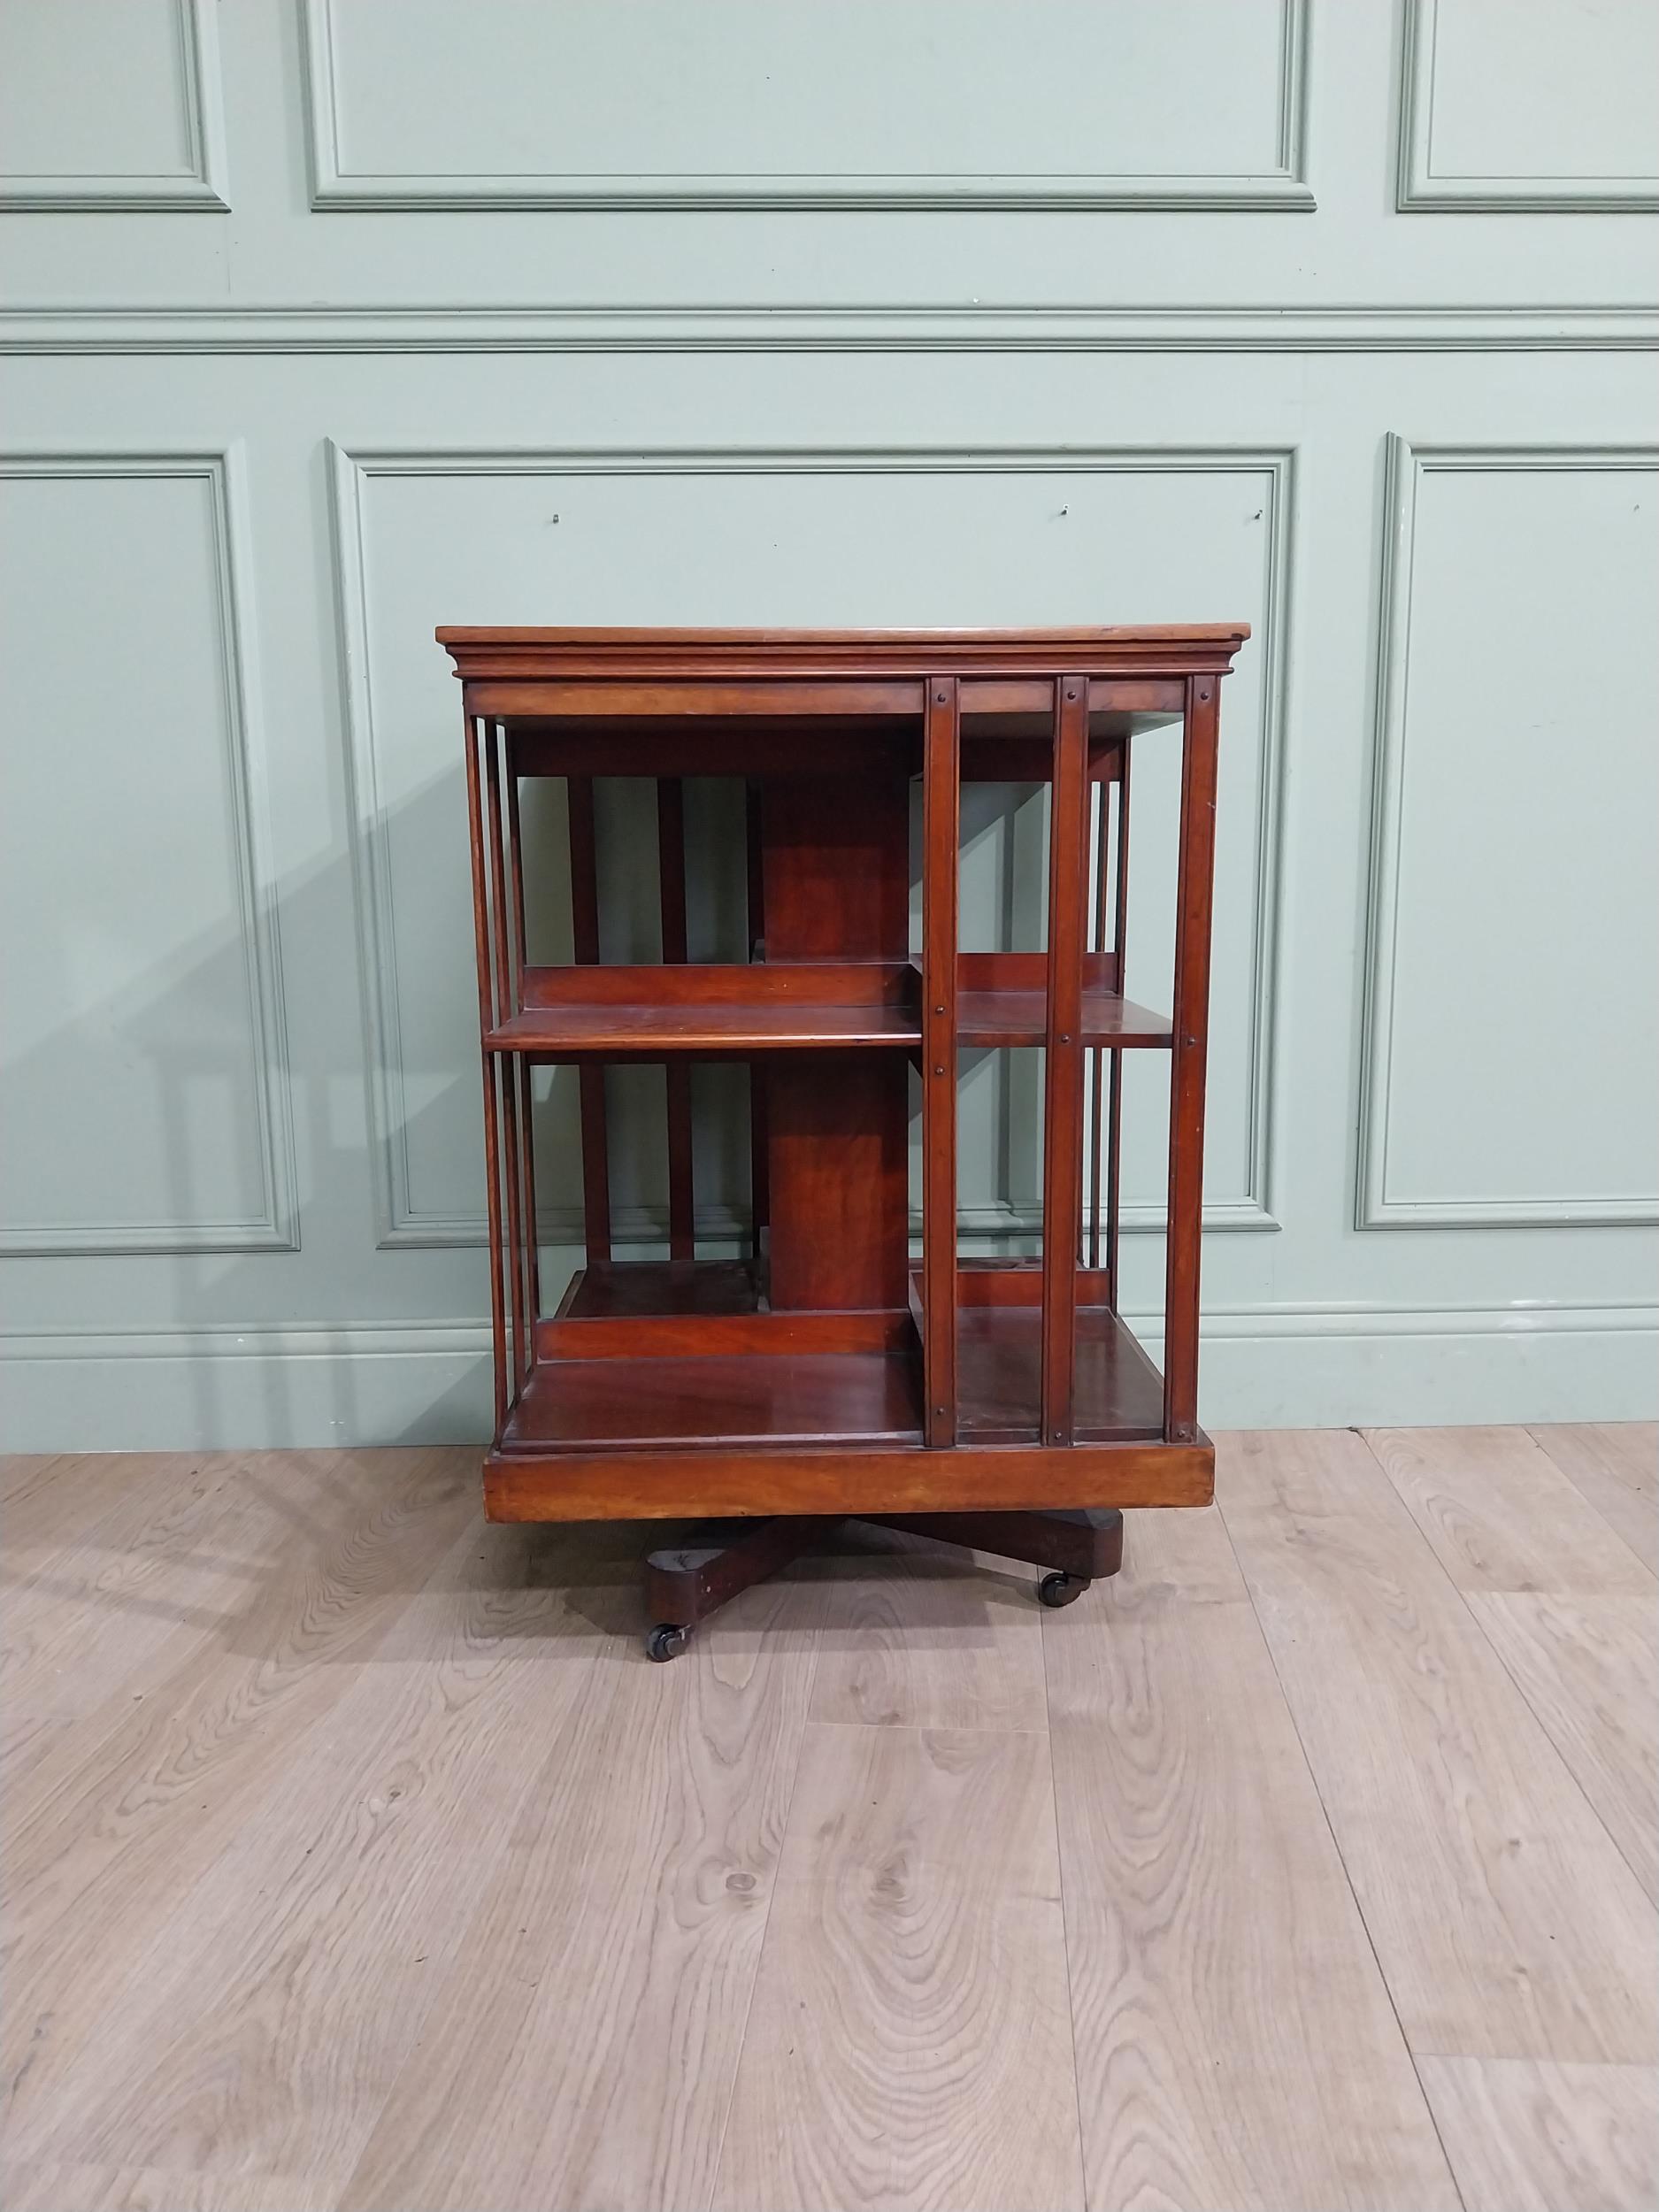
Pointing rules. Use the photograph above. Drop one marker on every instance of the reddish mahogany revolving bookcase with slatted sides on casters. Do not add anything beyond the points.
(833, 1373)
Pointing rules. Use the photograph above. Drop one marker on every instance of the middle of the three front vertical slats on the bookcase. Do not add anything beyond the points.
(1063, 1098)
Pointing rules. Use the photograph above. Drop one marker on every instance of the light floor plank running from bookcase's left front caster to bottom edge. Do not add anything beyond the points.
(594, 2010)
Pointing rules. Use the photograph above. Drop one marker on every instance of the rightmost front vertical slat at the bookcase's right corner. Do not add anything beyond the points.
(1187, 1061)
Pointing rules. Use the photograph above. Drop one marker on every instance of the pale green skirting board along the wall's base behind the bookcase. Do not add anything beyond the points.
(426, 1384)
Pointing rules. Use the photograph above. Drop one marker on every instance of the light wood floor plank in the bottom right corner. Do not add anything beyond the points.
(1536, 2138)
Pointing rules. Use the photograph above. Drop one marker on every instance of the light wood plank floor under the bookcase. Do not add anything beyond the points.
(357, 1857)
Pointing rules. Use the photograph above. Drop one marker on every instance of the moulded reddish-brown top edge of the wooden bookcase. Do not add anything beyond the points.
(915, 656)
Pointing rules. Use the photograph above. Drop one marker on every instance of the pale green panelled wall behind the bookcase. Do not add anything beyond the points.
(333, 322)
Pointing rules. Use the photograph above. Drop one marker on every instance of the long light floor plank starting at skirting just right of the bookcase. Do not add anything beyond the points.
(1503, 1917)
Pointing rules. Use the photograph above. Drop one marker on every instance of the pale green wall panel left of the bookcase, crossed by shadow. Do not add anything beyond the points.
(143, 1081)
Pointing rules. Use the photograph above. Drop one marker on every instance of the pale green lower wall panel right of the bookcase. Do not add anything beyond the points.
(1512, 1061)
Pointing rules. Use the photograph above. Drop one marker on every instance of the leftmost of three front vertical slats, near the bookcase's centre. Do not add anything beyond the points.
(941, 862)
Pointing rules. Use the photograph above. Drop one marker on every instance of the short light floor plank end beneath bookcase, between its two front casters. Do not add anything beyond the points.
(919, 1636)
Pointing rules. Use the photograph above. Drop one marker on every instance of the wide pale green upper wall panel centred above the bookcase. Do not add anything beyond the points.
(868, 103)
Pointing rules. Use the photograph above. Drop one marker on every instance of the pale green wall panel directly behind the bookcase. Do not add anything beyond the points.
(769, 539)
